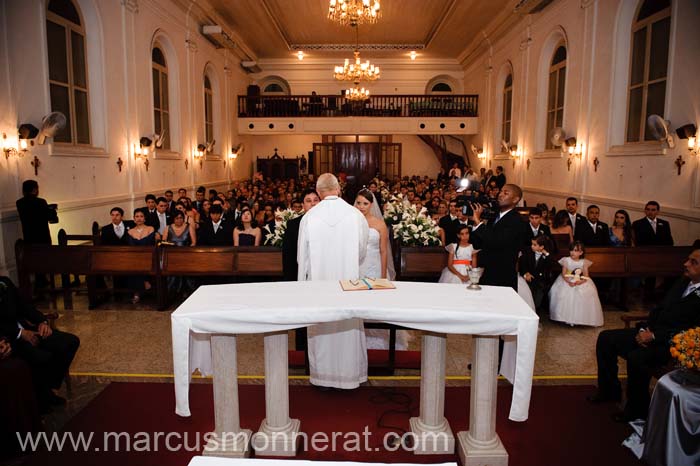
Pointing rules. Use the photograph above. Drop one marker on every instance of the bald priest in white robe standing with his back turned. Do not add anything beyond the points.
(332, 243)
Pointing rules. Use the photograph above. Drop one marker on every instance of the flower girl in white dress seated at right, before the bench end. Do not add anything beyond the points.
(573, 298)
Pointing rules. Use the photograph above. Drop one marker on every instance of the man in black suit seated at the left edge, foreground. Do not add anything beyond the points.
(48, 352)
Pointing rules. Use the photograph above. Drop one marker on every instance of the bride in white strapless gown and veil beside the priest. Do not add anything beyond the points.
(378, 263)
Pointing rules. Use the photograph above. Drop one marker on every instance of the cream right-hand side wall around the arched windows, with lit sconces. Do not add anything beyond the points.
(597, 35)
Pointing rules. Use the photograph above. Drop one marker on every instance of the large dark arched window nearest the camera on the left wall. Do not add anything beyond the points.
(68, 83)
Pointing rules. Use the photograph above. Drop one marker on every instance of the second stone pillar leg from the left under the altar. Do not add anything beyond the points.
(278, 434)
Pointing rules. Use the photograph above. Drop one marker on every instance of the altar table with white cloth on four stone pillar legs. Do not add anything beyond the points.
(223, 311)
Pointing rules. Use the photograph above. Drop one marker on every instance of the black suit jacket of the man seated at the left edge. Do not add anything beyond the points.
(13, 310)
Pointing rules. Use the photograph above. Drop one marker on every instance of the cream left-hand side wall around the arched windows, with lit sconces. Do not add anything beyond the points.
(86, 183)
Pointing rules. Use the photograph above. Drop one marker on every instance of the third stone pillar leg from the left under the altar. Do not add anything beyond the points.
(431, 431)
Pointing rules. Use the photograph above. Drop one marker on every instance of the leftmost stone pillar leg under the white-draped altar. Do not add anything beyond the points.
(229, 439)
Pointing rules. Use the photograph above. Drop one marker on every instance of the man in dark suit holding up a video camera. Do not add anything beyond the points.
(500, 241)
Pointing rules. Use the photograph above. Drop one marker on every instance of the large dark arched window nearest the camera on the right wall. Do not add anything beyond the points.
(648, 71)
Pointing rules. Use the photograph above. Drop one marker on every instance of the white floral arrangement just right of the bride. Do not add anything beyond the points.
(410, 226)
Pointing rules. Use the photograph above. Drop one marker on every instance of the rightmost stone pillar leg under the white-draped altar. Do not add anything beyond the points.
(480, 446)
